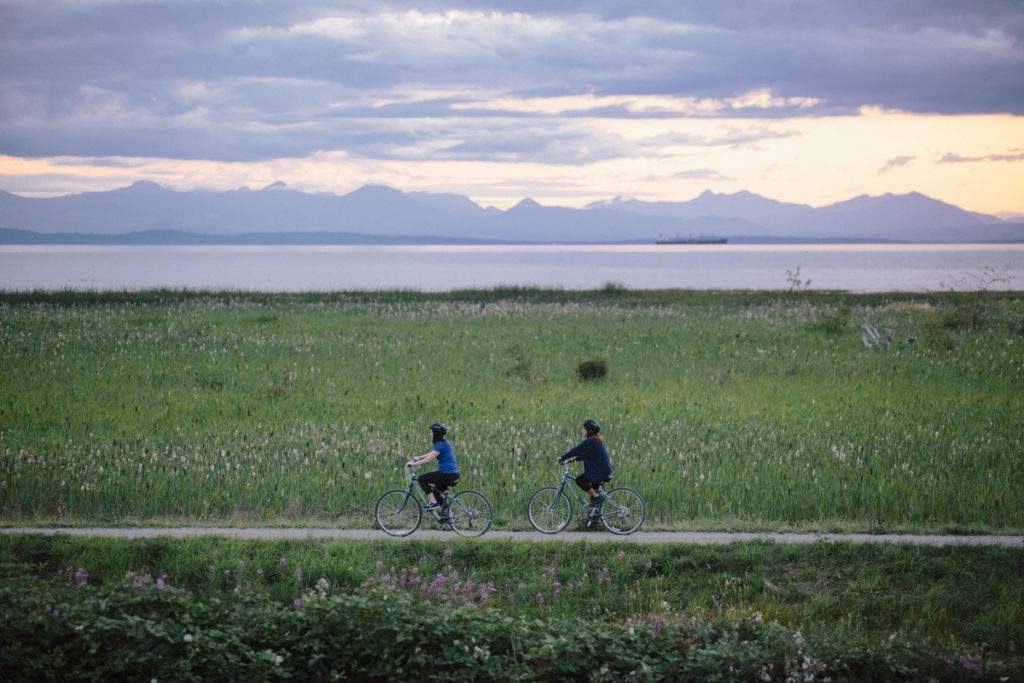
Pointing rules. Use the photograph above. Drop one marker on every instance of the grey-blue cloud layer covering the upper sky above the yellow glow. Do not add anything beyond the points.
(241, 80)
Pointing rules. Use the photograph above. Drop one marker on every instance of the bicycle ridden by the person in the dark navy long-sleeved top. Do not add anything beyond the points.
(550, 508)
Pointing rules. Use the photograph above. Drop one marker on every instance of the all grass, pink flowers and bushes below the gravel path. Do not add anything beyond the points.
(488, 611)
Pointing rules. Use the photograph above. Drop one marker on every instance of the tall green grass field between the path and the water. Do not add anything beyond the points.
(726, 410)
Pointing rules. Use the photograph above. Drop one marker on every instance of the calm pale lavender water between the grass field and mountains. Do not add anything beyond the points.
(855, 268)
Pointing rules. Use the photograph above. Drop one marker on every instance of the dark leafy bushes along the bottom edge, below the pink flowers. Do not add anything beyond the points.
(146, 631)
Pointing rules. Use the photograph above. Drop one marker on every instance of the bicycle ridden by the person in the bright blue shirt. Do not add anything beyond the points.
(400, 513)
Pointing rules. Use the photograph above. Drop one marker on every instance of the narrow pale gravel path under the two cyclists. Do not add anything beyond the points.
(699, 538)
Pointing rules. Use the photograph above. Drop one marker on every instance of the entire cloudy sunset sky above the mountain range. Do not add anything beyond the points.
(800, 102)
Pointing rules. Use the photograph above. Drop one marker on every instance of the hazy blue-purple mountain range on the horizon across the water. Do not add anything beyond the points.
(379, 214)
